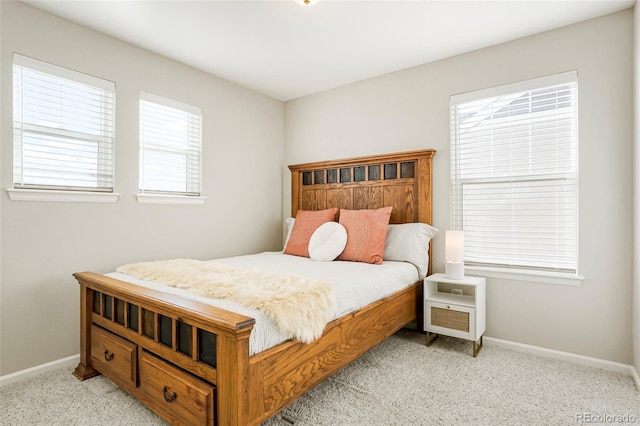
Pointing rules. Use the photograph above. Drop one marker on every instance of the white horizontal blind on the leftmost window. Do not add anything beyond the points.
(63, 128)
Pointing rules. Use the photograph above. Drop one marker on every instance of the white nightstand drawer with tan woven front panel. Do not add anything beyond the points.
(449, 319)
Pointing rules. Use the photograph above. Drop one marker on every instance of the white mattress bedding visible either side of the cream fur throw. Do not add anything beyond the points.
(356, 285)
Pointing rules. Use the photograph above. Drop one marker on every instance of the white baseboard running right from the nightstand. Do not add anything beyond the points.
(566, 356)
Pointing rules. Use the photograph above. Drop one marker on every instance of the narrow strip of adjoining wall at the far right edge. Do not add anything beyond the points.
(636, 197)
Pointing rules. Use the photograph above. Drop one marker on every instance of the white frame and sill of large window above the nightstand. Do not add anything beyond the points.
(505, 271)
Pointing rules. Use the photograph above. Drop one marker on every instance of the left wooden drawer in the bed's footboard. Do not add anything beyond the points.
(114, 357)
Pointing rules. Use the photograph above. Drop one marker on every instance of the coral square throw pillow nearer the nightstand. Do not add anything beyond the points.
(366, 233)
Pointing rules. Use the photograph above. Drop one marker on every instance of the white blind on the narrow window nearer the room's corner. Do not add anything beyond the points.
(170, 146)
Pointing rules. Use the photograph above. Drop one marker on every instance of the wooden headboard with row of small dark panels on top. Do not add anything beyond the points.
(401, 180)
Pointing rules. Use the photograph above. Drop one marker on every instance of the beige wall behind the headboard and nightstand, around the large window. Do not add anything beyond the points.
(409, 109)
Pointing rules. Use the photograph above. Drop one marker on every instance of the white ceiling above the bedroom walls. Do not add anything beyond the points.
(285, 50)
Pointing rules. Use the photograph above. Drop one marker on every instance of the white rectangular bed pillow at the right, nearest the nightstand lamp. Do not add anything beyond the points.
(409, 242)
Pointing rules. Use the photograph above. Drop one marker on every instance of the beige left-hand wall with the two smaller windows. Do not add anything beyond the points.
(44, 243)
